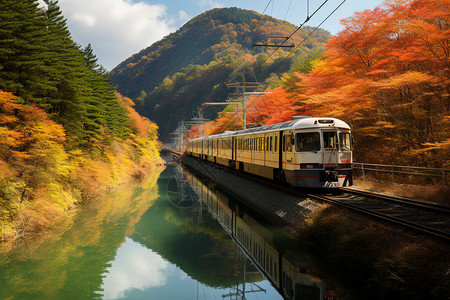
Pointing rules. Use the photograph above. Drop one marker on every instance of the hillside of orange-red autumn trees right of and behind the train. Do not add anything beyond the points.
(386, 74)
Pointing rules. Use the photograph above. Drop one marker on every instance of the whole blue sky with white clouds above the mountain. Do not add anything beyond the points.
(117, 29)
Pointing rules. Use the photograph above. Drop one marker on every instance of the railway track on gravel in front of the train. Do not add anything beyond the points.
(425, 217)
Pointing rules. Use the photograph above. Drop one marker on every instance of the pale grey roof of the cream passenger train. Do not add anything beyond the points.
(298, 122)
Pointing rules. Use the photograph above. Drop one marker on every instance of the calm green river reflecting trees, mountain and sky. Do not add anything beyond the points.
(156, 241)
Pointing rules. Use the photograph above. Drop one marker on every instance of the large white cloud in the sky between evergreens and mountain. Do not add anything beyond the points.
(116, 28)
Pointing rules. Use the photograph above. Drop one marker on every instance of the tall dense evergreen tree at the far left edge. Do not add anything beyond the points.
(23, 68)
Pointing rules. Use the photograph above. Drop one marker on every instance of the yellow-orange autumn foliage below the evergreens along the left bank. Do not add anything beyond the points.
(41, 180)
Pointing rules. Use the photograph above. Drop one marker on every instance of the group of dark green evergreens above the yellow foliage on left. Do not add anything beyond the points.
(40, 63)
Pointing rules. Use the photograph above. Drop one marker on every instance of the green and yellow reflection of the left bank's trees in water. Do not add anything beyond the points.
(69, 262)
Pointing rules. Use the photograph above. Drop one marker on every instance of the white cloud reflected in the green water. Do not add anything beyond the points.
(135, 267)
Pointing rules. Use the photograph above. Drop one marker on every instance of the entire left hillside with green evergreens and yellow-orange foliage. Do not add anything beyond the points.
(65, 135)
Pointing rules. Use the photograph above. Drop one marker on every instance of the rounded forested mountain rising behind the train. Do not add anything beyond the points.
(172, 77)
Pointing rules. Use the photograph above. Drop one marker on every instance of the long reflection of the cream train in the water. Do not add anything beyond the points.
(292, 280)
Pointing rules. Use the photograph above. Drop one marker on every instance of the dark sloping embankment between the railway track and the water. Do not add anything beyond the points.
(378, 260)
